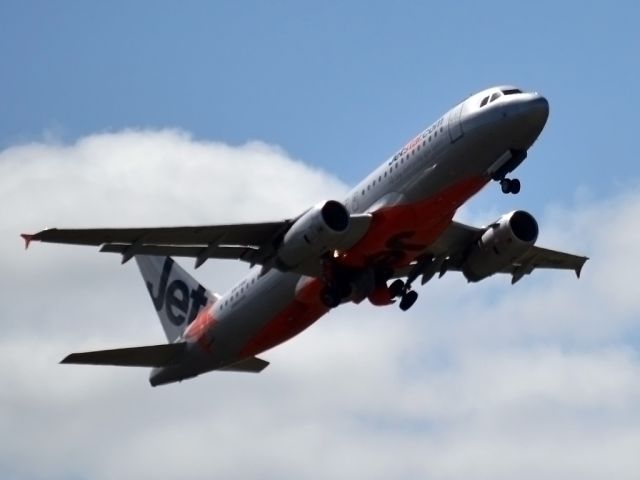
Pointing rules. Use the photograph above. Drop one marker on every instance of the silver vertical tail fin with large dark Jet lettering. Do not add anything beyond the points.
(176, 295)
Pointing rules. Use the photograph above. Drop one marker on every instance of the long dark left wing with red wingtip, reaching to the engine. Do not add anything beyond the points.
(251, 242)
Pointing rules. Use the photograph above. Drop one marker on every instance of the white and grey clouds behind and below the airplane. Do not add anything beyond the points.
(484, 381)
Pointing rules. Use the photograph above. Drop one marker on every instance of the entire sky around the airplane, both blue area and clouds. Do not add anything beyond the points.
(158, 112)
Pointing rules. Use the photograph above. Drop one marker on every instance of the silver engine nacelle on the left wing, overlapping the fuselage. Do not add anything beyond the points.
(317, 231)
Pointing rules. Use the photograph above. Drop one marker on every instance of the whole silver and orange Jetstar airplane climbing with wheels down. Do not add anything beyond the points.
(393, 228)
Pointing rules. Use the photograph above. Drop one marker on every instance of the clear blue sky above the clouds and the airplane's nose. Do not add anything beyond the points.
(338, 84)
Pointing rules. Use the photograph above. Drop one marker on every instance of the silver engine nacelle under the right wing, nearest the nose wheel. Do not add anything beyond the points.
(500, 245)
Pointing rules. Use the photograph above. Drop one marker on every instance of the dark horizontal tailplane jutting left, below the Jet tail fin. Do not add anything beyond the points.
(149, 356)
